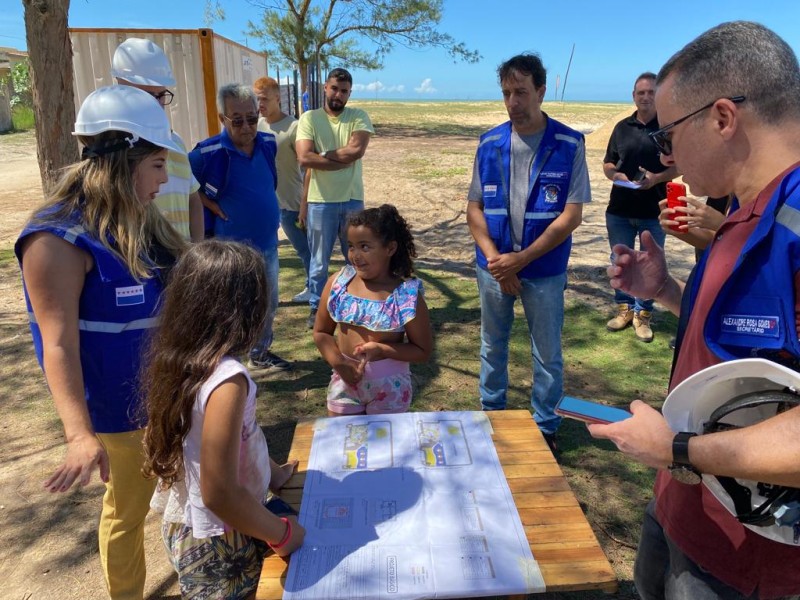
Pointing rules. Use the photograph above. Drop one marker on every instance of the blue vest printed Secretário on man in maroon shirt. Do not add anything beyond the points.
(754, 312)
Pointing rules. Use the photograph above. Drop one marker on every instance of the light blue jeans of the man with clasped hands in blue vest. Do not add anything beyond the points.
(543, 303)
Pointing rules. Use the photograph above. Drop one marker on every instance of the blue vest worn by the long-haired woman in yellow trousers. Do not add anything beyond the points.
(115, 314)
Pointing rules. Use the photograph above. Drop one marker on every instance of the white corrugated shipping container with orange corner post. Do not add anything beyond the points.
(201, 60)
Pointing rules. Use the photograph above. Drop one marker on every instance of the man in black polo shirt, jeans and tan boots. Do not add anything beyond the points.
(633, 164)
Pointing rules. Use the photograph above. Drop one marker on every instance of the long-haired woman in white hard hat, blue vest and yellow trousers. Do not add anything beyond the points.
(94, 259)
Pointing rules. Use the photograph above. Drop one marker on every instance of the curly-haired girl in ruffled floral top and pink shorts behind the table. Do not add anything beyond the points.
(381, 314)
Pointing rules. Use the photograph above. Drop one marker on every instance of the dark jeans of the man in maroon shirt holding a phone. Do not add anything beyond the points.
(663, 572)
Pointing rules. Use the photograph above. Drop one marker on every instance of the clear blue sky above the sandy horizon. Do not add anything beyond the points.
(614, 42)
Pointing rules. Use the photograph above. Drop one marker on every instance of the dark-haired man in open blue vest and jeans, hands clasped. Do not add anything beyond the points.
(529, 184)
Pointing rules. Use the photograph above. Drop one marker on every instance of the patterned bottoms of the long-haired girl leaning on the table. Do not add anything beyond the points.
(223, 566)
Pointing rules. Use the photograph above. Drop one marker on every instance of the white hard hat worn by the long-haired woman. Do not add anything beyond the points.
(128, 109)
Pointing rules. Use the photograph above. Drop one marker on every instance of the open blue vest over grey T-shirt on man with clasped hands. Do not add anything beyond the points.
(548, 188)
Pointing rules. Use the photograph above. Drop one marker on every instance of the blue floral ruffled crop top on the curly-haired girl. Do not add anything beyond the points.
(390, 315)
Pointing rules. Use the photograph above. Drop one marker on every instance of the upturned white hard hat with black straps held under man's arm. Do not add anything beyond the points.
(756, 384)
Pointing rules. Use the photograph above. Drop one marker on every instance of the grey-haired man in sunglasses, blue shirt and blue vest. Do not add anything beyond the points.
(238, 181)
